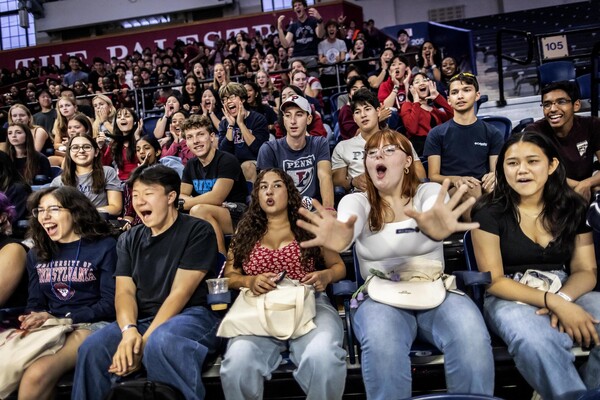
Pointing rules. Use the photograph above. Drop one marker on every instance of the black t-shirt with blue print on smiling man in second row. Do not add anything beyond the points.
(223, 165)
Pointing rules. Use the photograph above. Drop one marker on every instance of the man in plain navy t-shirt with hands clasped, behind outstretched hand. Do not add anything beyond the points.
(464, 149)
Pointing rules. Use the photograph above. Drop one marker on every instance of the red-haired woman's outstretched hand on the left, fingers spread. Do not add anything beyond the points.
(328, 231)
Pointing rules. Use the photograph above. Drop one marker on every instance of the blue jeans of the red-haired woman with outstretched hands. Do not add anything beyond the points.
(456, 327)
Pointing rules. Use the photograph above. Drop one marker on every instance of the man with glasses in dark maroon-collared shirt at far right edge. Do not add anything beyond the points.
(577, 138)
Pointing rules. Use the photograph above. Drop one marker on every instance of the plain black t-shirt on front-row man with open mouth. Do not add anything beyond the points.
(152, 261)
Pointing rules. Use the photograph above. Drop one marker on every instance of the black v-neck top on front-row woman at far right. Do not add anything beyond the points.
(519, 252)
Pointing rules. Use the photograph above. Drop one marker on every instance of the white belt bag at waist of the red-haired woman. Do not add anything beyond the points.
(418, 284)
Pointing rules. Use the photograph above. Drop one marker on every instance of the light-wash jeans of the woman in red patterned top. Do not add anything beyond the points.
(319, 356)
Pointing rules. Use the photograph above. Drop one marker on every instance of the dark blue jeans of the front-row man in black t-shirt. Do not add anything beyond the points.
(173, 354)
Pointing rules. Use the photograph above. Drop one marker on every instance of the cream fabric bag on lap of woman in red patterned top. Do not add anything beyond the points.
(283, 313)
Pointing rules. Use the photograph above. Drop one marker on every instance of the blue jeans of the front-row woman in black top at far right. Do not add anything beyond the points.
(542, 354)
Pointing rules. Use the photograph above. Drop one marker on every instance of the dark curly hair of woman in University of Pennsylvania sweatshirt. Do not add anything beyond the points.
(87, 222)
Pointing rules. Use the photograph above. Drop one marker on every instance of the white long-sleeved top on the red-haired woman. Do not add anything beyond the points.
(397, 241)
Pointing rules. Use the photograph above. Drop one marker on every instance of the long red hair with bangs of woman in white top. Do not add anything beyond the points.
(380, 208)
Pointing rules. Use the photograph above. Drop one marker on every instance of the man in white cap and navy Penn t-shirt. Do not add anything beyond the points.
(305, 158)
